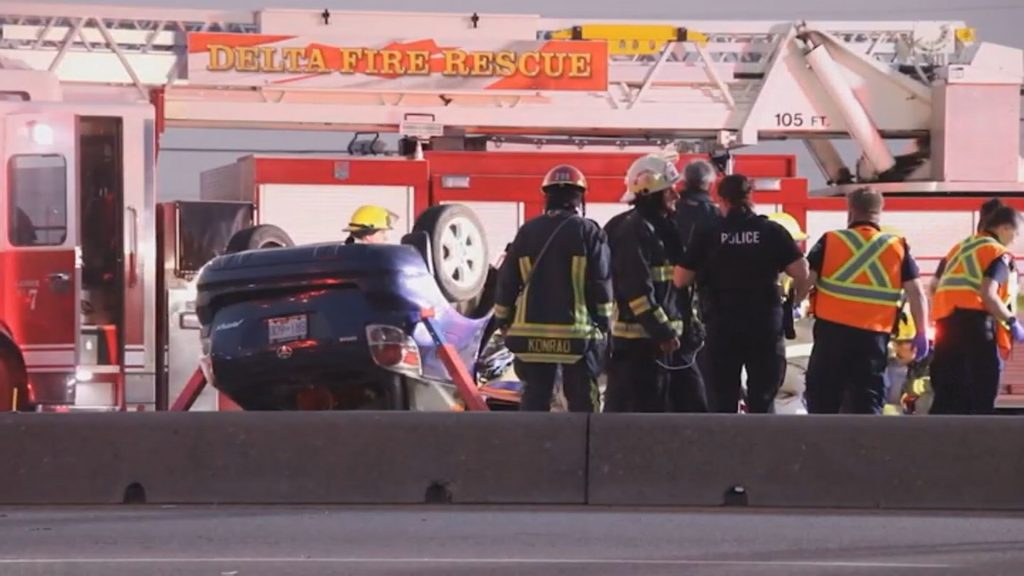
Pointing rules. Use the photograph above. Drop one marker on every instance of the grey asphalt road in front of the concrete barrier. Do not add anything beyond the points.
(436, 541)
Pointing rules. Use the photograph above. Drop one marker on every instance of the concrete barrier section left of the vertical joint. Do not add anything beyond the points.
(278, 458)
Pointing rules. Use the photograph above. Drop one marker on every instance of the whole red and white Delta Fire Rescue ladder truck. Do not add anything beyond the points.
(97, 275)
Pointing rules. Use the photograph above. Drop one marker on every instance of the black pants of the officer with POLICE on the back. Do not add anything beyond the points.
(752, 341)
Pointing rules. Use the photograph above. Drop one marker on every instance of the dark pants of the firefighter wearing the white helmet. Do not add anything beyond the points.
(638, 384)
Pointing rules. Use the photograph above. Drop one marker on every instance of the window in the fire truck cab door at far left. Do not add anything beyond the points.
(38, 203)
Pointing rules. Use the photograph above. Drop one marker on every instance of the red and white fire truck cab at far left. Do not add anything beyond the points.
(77, 258)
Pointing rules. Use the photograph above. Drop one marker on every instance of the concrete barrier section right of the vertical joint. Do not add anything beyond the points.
(807, 462)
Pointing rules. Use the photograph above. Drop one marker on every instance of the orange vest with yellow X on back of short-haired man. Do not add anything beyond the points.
(861, 280)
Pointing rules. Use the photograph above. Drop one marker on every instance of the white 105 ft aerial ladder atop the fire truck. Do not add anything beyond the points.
(724, 84)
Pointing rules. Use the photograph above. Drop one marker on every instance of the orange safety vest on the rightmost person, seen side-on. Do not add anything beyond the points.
(960, 286)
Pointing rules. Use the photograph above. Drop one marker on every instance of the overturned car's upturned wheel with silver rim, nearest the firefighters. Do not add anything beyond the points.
(459, 251)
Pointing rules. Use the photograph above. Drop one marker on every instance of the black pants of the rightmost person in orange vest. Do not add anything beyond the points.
(967, 366)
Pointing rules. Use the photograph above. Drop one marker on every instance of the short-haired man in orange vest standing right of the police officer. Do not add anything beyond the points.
(859, 275)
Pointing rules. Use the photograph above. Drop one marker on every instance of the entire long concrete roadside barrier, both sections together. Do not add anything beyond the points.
(514, 459)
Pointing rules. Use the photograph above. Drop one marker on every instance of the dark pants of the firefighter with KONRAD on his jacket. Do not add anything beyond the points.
(579, 382)
